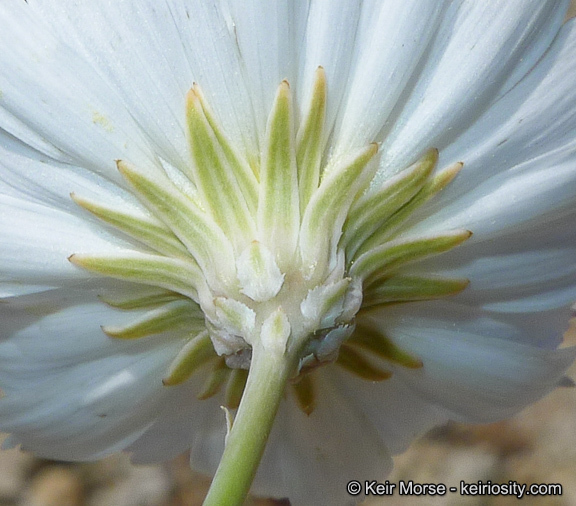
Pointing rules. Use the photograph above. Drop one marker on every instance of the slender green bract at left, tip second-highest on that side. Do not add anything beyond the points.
(147, 230)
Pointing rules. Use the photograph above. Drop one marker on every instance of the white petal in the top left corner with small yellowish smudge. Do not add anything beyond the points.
(50, 88)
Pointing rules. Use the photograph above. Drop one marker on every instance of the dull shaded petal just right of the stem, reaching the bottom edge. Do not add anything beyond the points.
(311, 458)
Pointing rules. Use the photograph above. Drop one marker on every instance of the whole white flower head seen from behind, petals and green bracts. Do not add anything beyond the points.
(280, 183)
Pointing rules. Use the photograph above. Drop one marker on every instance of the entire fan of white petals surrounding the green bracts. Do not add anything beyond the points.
(99, 84)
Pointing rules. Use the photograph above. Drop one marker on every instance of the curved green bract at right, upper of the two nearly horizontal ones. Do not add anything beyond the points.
(379, 262)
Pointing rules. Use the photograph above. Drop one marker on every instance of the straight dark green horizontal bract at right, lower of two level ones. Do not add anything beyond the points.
(402, 288)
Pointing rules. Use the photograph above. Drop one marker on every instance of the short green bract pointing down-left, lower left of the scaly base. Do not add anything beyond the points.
(193, 355)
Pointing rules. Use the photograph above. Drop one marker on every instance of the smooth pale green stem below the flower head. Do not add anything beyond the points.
(247, 439)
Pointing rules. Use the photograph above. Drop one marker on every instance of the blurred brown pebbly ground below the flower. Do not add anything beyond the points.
(536, 446)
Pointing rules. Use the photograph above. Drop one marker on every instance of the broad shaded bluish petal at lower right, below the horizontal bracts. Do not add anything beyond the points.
(478, 378)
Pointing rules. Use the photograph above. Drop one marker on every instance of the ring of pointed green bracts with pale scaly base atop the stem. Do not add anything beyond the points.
(288, 253)
